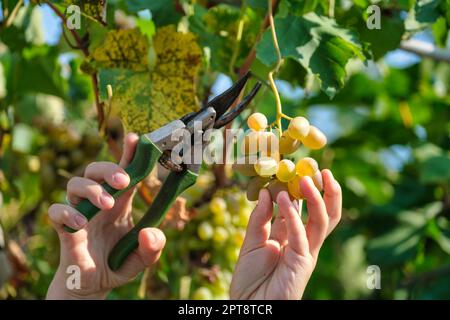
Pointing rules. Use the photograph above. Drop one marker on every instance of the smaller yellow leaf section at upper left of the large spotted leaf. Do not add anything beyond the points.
(120, 49)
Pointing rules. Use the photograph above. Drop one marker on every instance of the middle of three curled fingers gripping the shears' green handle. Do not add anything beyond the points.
(83, 188)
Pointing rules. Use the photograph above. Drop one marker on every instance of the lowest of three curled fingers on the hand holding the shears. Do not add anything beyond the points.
(62, 215)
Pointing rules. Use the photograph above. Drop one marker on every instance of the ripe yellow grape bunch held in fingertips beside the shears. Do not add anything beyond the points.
(264, 152)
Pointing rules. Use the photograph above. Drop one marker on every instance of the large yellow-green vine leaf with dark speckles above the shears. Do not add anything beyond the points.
(147, 100)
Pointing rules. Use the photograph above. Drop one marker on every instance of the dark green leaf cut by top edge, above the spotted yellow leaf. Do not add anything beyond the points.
(163, 11)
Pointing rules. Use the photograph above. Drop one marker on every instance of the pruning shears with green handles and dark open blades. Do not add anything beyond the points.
(157, 146)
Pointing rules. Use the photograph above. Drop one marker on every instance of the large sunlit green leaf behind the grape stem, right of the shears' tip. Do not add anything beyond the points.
(318, 43)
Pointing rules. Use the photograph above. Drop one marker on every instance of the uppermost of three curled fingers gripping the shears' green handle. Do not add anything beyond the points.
(110, 172)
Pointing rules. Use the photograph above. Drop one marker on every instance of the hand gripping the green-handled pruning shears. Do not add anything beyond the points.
(89, 247)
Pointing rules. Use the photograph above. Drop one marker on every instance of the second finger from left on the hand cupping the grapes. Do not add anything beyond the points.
(296, 234)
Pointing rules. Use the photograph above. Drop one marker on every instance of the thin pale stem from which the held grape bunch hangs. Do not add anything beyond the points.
(273, 86)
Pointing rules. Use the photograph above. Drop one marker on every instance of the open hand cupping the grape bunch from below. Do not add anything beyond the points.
(277, 260)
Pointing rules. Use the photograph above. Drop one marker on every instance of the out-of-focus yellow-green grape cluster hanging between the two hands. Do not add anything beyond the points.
(220, 227)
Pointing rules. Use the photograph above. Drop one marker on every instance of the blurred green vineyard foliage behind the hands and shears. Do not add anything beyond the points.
(384, 110)
